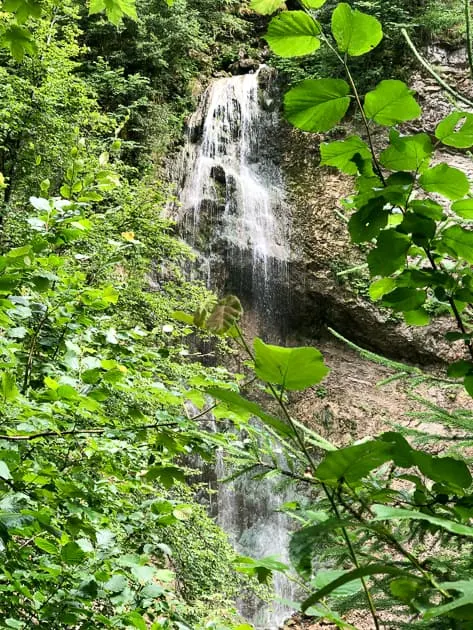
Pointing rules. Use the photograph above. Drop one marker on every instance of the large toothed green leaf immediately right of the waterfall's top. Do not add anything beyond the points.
(317, 104)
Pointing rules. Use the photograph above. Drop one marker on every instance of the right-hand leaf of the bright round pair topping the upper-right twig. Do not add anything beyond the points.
(356, 33)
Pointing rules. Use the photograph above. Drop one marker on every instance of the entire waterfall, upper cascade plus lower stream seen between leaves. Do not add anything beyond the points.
(232, 212)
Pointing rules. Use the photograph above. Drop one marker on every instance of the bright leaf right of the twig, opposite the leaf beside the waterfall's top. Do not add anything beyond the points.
(391, 103)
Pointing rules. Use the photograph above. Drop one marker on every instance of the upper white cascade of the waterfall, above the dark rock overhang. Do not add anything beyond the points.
(231, 192)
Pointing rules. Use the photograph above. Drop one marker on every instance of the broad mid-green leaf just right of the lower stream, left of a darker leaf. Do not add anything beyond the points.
(352, 463)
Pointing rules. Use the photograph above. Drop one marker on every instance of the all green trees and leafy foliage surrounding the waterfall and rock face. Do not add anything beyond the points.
(112, 377)
